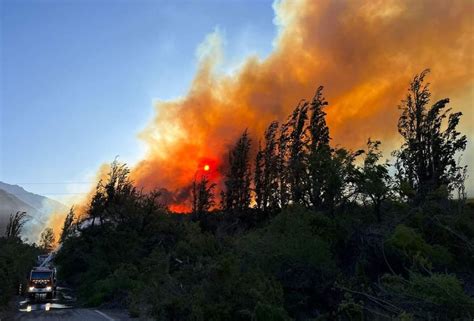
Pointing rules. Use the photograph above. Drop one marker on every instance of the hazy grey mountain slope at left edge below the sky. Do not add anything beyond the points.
(14, 198)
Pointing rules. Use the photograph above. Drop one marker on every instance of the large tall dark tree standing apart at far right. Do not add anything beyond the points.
(426, 161)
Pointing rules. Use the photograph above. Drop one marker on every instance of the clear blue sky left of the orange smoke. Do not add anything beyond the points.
(78, 78)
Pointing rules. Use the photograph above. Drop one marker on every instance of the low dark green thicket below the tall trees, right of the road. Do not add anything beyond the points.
(169, 268)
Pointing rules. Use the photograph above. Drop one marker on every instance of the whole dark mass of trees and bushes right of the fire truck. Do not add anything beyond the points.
(302, 231)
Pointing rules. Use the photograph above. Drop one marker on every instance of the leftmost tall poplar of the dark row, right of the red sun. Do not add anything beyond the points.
(238, 177)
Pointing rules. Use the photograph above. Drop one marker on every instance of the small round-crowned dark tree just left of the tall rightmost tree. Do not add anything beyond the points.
(373, 179)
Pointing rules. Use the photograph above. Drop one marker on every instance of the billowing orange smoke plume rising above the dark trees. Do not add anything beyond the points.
(363, 52)
